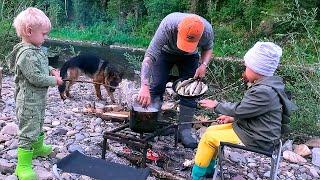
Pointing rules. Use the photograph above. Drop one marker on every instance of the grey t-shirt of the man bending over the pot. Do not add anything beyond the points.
(165, 37)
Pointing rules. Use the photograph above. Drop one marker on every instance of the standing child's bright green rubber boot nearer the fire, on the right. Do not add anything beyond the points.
(41, 149)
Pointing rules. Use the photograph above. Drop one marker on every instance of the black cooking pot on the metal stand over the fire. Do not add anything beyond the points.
(143, 120)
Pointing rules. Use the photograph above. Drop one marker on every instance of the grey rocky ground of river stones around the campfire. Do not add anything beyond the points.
(68, 129)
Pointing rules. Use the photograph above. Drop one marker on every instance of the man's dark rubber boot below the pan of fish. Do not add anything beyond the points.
(186, 115)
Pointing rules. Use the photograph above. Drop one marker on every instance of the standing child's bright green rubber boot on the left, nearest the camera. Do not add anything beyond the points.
(24, 169)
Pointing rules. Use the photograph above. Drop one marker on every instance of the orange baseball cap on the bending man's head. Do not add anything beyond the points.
(190, 30)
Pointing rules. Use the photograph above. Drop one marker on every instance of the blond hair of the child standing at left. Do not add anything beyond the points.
(31, 17)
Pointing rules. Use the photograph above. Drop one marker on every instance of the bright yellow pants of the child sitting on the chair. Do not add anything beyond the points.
(210, 142)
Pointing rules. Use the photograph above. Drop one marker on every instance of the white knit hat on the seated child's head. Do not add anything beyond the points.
(263, 58)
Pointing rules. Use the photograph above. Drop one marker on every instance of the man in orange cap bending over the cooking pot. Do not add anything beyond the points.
(176, 42)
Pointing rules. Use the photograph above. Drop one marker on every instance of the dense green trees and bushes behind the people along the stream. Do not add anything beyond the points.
(238, 24)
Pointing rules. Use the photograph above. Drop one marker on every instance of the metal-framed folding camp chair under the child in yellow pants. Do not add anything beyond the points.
(274, 154)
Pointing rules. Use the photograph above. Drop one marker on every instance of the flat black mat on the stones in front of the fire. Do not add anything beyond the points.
(79, 163)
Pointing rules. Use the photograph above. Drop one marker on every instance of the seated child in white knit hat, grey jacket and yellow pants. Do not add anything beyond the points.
(256, 120)
